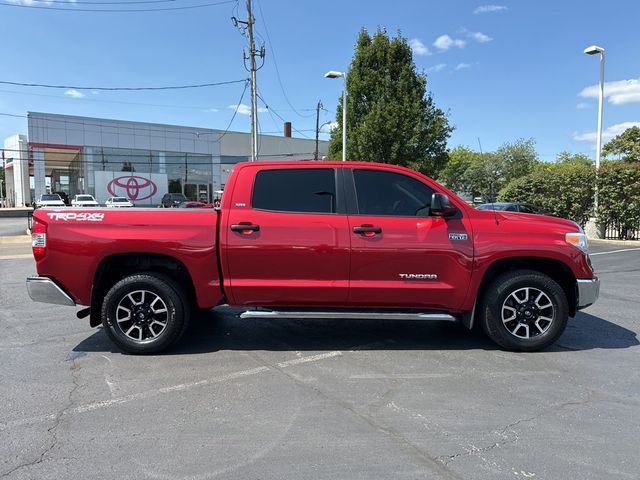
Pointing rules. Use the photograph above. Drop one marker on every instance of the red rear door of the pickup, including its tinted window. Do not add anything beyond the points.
(286, 242)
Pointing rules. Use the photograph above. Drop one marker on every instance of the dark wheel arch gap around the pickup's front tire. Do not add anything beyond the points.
(556, 269)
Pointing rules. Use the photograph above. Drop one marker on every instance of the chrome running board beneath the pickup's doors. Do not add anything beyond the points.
(348, 315)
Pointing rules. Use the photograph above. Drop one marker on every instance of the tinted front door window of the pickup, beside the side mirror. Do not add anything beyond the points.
(388, 193)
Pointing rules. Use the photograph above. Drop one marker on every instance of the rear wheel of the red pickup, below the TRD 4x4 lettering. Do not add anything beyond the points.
(158, 317)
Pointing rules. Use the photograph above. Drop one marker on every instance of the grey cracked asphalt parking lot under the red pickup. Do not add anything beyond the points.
(260, 399)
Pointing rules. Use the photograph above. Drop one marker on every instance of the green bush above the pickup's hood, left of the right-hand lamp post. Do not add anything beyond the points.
(565, 190)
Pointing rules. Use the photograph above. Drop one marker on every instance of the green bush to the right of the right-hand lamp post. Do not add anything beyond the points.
(619, 197)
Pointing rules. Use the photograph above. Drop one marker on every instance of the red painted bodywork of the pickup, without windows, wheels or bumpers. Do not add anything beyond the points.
(310, 259)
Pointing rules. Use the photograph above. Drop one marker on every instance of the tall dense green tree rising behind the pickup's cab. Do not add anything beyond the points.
(390, 115)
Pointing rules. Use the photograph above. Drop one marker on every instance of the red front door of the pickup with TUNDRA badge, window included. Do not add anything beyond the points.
(401, 256)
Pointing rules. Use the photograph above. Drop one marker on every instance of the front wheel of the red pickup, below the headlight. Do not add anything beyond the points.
(525, 332)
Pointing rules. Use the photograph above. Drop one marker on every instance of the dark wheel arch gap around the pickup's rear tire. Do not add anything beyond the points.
(118, 266)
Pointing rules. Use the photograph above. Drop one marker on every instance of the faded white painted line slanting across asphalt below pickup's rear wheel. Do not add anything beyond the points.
(90, 407)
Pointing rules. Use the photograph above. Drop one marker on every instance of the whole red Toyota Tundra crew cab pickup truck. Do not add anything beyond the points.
(316, 240)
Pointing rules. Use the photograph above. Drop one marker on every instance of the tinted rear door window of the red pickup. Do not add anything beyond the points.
(310, 190)
